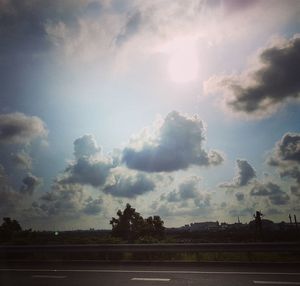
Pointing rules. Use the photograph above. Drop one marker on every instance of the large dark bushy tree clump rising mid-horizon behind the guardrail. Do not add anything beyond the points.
(130, 225)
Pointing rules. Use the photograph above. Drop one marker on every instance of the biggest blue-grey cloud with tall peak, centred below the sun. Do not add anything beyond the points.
(178, 145)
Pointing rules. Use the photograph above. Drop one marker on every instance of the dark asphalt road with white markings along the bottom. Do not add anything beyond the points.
(93, 273)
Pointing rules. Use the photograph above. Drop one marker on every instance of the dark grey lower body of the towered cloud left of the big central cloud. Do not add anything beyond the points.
(87, 171)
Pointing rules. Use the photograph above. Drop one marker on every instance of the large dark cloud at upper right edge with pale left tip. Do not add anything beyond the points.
(272, 84)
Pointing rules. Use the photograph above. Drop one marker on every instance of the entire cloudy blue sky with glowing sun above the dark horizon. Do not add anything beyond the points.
(184, 109)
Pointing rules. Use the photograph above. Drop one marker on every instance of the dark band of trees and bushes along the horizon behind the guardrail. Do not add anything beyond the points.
(130, 227)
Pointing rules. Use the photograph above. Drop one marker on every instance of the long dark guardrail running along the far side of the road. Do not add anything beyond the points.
(117, 251)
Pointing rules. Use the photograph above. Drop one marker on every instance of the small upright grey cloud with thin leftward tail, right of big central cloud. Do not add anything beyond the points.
(245, 174)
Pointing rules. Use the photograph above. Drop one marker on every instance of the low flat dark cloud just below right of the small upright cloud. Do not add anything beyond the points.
(272, 191)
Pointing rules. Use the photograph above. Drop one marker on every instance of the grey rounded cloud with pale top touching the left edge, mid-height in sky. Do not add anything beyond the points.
(18, 128)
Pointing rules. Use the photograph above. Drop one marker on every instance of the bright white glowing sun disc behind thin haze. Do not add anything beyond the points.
(183, 63)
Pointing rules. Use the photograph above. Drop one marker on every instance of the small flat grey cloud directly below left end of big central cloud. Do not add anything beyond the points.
(129, 185)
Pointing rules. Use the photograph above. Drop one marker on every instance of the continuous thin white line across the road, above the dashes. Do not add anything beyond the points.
(150, 271)
